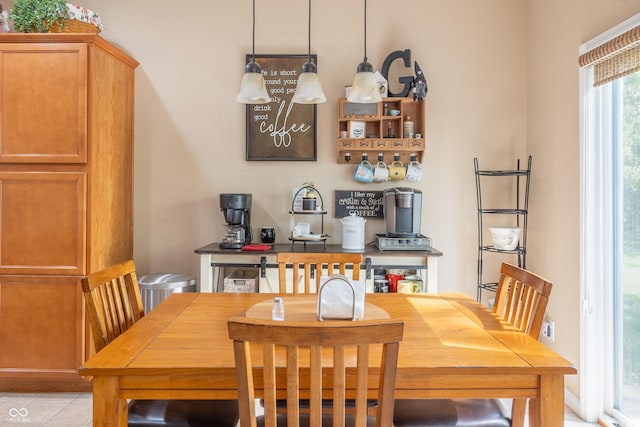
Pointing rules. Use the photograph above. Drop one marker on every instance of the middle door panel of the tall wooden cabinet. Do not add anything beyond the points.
(42, 222)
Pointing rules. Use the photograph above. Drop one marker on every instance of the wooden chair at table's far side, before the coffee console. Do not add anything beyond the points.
(314, 263)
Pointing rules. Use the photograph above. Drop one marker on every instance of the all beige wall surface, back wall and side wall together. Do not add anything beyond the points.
(503, 83)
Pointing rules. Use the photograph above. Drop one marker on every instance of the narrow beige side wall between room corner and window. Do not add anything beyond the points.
(556, 31)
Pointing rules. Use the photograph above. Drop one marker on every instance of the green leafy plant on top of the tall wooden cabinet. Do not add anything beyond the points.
(38, 15)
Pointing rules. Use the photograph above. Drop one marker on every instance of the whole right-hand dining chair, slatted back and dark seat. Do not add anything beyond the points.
(521, 300)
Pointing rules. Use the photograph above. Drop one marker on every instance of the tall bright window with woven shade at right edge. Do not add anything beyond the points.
(610, 226)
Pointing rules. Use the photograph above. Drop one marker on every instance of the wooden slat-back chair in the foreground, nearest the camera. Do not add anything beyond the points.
(334, 354)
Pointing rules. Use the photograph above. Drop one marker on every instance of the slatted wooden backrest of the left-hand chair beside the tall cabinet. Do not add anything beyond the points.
(113, 301)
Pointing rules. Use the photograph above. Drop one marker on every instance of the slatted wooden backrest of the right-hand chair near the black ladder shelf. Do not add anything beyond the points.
(522, 298)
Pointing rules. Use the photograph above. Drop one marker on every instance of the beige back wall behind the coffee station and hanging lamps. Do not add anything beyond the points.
(190, 139)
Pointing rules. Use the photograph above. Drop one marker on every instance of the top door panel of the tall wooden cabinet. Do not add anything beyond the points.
(43, 103)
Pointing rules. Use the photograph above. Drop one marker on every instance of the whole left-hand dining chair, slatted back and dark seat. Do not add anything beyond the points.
(114, 304)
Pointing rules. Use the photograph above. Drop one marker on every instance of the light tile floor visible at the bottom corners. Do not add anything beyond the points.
(74, 410)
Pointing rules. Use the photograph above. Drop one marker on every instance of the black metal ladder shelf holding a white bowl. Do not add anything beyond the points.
(519, 211)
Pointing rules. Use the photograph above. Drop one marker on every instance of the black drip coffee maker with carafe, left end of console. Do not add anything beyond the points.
(237, 214)
